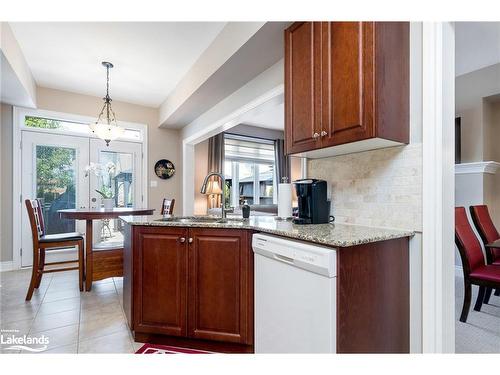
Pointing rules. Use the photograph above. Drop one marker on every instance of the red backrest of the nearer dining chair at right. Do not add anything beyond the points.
(467, 242)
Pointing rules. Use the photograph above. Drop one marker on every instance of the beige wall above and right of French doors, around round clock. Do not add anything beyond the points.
(162, 143)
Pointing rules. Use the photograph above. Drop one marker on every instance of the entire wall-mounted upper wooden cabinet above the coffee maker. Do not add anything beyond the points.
(346, 87)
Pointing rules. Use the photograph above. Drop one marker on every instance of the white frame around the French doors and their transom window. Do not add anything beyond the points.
(19, 114)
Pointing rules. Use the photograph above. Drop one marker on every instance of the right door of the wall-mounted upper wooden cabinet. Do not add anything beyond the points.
(347, 82)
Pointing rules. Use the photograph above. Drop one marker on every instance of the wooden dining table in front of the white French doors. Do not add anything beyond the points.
(89, 215)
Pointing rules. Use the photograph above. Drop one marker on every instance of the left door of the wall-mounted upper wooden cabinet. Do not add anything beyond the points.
(302, 86)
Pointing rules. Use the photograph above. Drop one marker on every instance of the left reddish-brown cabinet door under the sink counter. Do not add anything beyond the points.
(160, 304)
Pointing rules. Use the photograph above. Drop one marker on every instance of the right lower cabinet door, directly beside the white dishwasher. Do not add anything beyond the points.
(220, 286)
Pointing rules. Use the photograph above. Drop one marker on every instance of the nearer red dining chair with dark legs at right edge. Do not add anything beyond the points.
(476, 272)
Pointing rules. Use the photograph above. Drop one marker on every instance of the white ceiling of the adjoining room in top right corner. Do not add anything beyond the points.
(477, 45)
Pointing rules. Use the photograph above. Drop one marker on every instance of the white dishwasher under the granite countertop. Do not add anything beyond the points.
(295, 296)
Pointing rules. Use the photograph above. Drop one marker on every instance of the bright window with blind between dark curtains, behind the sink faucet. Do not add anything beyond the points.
(249, 170)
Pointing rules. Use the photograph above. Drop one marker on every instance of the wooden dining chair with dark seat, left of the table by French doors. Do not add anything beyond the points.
(43, 243)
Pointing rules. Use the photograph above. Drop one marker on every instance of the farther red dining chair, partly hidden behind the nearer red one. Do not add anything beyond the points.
(488, 233)
